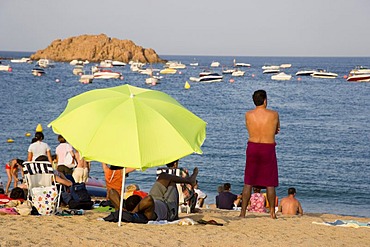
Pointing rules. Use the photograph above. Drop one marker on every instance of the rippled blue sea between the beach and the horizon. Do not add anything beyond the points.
(322, 149)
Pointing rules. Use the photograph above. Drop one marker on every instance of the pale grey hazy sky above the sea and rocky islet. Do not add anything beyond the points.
(195, 27)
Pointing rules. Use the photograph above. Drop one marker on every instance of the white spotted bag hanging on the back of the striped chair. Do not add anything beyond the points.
(44, 199)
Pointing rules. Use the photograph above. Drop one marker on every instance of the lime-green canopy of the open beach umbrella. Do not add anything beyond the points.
(129, 126)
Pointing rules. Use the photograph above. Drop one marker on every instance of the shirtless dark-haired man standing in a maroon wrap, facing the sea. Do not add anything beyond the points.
(261, 164)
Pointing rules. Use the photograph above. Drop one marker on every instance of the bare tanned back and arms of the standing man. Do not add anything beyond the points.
(262, 124)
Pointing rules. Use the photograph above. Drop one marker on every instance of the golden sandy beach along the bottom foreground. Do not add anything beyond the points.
(254, 230)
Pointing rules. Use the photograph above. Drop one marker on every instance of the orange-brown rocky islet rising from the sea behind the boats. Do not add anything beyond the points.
(96, 48)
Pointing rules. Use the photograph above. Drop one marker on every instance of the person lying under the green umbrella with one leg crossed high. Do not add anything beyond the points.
(162, 202)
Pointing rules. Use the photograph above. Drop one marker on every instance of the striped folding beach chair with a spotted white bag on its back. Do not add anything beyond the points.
(43, 190)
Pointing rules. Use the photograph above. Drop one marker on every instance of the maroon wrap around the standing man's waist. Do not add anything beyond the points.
(261, 165)
